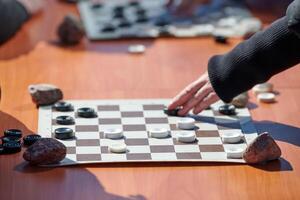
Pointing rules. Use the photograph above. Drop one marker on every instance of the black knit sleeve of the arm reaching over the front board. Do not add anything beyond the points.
(255, 60)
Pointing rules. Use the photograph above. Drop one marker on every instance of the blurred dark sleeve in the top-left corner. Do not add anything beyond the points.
(12, 16)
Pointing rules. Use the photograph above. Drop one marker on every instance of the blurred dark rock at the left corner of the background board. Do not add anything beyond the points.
(70, 31)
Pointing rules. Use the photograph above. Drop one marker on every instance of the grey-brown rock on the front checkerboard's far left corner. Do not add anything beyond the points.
(45, 94)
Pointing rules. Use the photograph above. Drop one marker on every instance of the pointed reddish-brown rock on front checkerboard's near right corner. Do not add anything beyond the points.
(262, 149)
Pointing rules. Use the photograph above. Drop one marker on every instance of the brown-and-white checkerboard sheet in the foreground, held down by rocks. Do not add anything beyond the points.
(135, 118)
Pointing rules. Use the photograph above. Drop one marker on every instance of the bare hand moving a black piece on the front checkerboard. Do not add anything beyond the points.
(197, 96)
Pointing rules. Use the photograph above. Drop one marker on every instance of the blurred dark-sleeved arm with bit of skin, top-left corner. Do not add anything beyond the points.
(13, 14)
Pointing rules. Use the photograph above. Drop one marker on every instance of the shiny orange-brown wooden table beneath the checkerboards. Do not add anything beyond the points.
(105, 70)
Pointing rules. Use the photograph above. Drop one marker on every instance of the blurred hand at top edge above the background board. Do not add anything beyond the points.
(184, 7)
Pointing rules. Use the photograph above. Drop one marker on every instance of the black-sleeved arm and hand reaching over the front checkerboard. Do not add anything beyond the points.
(251, 62)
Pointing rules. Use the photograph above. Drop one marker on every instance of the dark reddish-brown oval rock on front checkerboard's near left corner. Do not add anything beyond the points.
(45, 151)
